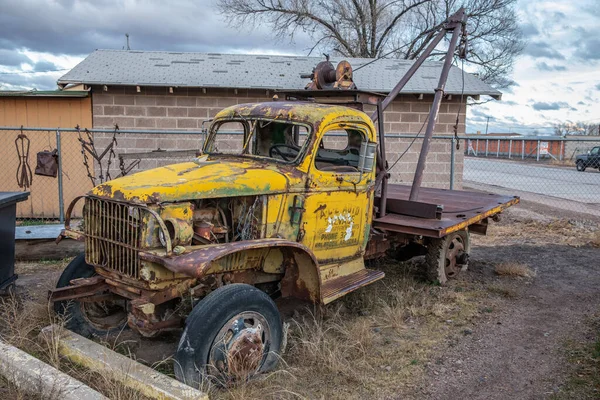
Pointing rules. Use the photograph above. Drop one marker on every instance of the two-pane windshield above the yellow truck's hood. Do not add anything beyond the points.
(278, 140)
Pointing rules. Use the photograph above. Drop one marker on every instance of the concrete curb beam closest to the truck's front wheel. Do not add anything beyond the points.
(130, 373)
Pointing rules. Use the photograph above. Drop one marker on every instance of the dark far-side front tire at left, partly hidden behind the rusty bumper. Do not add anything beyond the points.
(71, 310)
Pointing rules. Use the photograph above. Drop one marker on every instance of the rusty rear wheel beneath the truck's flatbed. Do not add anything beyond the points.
(448, 256)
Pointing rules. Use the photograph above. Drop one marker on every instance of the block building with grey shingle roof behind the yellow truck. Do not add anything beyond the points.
(145, 90)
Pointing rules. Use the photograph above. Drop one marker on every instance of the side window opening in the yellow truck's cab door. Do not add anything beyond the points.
(339, 150)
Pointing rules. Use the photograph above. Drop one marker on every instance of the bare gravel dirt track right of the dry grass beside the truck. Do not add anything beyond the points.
(520, 350)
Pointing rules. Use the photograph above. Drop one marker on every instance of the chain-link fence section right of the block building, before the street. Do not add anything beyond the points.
(561, 172)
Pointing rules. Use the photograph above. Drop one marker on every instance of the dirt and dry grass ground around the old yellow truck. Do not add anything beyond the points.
(483, 336)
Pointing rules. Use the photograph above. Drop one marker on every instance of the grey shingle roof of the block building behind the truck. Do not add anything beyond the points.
(244, 71)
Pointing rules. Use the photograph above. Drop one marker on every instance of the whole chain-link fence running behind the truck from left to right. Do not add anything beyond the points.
(542, 170)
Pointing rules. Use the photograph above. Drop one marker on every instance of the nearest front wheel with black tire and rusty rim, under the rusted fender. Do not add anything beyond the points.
(232, 334)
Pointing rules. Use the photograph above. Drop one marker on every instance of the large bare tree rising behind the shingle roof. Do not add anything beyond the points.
(400, 28)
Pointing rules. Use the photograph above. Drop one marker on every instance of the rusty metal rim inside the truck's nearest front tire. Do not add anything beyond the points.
(241, 346)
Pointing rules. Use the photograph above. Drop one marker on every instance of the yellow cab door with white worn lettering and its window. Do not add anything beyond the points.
(338, 199)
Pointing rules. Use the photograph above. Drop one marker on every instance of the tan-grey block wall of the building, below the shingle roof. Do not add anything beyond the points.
(185, 109)
